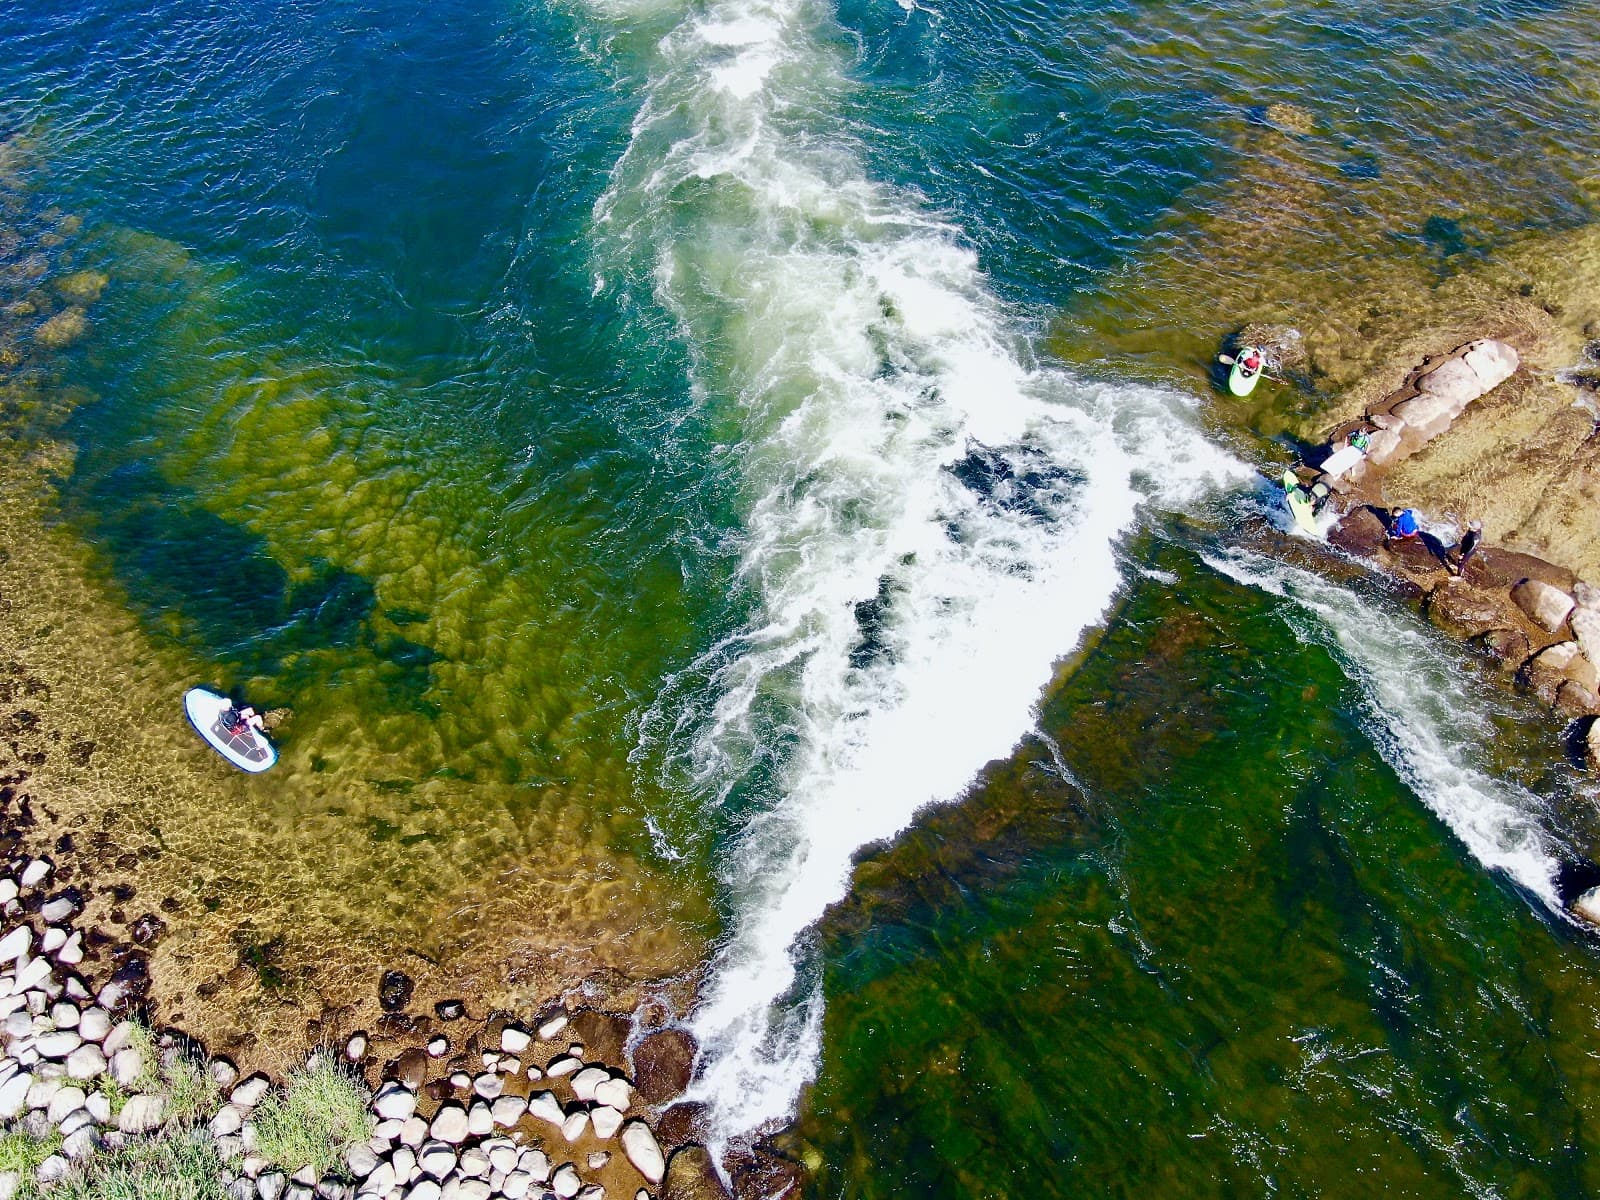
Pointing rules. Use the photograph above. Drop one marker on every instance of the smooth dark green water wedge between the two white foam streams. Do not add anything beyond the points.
(1204, 945)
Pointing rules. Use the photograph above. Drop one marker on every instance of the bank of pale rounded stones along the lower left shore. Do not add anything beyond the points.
(561, 1103)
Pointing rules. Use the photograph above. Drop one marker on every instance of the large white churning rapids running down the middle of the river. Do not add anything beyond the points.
(929, 518)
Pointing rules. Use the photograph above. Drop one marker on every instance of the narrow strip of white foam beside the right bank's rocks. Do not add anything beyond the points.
(1418, 719)
